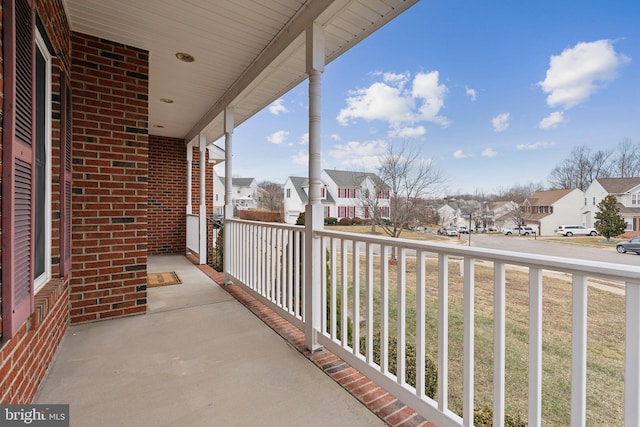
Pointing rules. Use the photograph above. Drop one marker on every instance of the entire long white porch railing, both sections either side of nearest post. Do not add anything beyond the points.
(265, 259)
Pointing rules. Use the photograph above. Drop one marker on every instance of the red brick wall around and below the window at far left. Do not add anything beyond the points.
(25, 358)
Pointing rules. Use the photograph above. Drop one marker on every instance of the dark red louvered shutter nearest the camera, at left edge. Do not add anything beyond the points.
(18, 183)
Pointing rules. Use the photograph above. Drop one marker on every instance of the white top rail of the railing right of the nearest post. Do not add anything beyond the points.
(618, 272)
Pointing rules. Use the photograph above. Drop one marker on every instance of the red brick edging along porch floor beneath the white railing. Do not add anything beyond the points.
(386, 406)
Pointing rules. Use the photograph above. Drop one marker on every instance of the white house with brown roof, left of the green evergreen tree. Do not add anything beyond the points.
(549, 209)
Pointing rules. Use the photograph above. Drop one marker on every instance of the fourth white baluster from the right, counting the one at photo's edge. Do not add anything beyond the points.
(499, 312)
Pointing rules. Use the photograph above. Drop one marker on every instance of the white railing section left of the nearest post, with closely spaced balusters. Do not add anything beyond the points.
(267, 259)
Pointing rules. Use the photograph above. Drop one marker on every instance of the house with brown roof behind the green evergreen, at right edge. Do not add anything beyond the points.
(626, 190)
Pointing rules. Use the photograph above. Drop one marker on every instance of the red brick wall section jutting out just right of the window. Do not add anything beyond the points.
(110, 167)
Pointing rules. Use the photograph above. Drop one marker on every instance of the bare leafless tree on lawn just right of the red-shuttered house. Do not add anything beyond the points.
(410, 178)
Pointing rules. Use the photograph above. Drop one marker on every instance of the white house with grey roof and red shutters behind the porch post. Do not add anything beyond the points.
(344, 194)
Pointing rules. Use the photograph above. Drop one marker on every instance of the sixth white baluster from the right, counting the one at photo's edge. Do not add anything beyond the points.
(443, 332)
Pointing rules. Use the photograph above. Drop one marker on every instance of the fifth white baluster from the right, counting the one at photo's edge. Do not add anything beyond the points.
(469, 341)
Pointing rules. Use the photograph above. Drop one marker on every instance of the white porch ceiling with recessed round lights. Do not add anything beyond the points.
(247, 52)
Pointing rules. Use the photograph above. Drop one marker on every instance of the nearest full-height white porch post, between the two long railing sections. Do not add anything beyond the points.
(313, 213)
